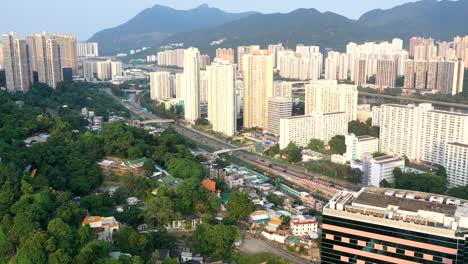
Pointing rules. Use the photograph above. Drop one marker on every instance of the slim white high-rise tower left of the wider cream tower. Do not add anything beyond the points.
(191, 84)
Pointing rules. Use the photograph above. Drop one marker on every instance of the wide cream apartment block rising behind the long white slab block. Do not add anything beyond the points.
(325, 96)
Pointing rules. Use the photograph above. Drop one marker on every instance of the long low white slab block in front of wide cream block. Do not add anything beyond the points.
(301, 129)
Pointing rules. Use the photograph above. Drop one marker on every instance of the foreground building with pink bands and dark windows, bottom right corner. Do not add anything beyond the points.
(393, 226)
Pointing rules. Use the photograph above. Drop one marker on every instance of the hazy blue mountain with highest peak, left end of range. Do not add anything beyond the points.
(155, 24)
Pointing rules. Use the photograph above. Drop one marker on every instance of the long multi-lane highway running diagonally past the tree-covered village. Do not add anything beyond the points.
(295, 174)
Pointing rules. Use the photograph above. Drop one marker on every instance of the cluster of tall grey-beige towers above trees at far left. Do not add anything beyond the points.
(44, 57)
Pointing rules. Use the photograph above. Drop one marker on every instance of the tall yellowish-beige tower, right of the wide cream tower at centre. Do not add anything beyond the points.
(258, 87)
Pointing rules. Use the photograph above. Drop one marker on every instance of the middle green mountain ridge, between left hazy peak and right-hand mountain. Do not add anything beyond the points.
(307, 26)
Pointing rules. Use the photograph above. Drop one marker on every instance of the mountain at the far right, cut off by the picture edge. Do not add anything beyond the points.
(437, 19)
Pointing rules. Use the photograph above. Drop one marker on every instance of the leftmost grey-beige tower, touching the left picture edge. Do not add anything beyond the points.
(16, 63)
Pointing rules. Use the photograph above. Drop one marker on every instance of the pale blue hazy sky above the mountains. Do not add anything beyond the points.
(85, 17)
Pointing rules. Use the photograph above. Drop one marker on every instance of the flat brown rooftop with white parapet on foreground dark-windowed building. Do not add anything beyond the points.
(412, 208)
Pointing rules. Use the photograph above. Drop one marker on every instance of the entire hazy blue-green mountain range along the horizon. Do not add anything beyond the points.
(200, 26)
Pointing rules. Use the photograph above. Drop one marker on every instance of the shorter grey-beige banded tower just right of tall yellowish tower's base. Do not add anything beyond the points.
(278, 107)
